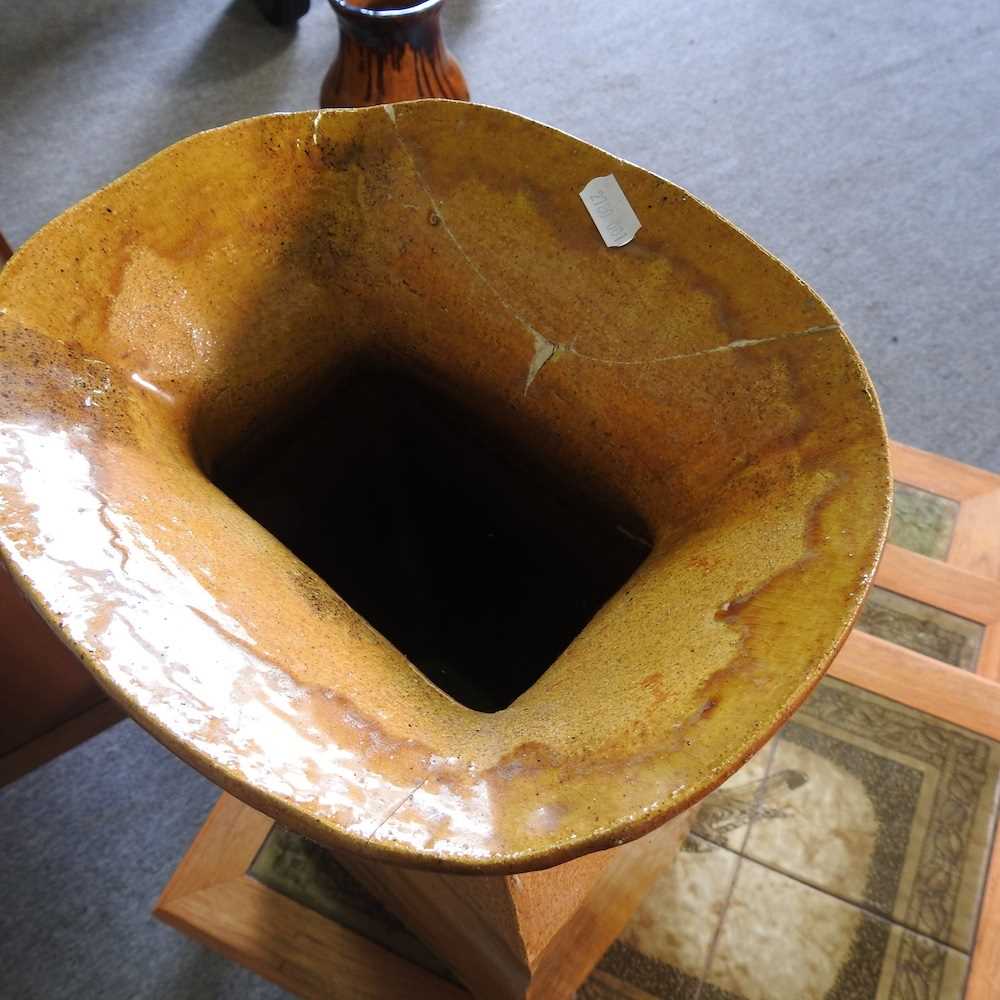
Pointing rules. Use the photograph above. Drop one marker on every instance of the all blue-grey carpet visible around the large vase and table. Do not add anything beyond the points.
(858, 140)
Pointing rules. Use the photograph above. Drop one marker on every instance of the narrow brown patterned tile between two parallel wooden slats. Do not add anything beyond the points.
(922, 628)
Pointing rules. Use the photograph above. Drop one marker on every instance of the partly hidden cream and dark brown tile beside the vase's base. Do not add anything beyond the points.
(664, 949)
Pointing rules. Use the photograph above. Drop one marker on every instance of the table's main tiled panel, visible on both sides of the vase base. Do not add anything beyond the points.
(845, 862)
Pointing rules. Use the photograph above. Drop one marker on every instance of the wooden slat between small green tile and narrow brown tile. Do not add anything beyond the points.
(940, 584)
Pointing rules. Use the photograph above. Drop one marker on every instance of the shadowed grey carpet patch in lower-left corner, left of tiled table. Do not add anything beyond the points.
(86, 845)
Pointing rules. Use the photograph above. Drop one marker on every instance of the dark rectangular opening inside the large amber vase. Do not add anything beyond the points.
(469, 553)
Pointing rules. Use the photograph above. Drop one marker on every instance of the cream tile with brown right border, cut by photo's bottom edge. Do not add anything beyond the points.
(782, 939)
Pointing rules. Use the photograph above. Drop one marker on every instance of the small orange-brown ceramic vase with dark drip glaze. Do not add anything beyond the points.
(390, 51)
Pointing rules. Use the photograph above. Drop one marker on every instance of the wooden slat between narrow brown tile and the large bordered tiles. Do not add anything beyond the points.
(948, 693)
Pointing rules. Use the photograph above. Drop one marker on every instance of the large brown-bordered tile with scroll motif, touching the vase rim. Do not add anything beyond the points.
(893, 809)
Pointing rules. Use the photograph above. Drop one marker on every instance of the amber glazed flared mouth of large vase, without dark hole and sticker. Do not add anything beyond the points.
(157, 324)
